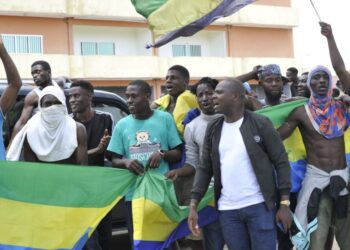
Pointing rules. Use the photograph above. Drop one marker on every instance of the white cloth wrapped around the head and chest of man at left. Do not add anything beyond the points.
(51, 133)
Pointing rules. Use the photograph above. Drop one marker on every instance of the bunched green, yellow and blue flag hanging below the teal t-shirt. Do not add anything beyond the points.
(158, 220)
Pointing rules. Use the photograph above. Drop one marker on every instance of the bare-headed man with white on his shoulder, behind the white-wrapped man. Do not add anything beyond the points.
(41, 72)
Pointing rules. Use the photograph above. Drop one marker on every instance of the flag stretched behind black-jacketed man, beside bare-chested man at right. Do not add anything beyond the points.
(294, 144)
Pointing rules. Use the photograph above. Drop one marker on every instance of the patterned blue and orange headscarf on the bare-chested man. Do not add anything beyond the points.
(328, 116)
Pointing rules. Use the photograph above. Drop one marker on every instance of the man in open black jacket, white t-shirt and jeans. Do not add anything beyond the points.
(244, 153)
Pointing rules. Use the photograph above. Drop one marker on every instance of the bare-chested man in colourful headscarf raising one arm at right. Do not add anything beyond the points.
(323, 199)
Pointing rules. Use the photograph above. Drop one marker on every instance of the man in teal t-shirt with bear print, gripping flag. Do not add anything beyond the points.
(146, 139)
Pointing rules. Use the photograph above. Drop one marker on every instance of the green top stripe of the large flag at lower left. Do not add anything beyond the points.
(62, 185)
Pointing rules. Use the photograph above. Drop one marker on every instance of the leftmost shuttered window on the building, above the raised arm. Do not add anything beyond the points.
(28, 44)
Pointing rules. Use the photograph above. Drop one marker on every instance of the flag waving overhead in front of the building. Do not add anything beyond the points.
(169, 19)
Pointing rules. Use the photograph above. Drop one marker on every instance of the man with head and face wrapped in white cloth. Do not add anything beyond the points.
(51, 135)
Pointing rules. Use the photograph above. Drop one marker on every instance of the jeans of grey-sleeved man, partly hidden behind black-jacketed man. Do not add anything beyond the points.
(213, 238)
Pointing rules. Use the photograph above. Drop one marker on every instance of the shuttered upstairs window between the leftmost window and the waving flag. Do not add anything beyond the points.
(97, 48)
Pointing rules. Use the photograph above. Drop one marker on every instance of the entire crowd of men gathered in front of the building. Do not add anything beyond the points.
(206, 135)
